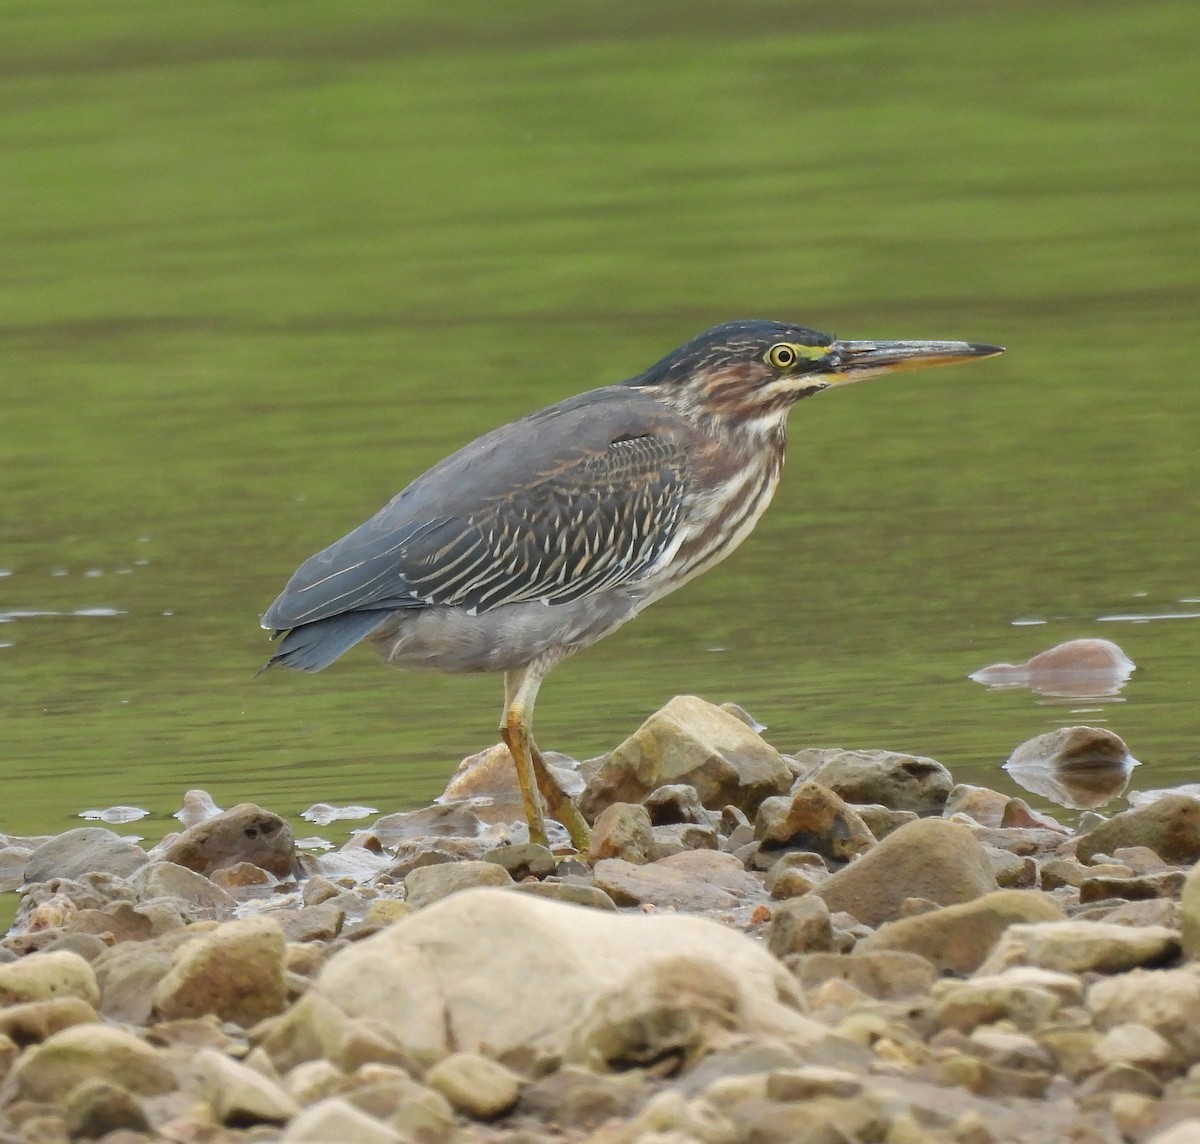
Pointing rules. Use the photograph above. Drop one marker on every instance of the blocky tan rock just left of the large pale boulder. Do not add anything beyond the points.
(235, 973)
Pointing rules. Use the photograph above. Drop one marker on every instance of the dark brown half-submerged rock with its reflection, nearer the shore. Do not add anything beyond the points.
(1076, 768)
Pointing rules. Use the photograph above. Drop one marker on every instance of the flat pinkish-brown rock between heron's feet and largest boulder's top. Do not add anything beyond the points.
(694, 881)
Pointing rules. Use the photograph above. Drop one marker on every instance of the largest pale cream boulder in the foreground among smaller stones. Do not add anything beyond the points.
(523, 979)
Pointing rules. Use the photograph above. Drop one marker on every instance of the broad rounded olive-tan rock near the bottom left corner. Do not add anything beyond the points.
(50, 1070)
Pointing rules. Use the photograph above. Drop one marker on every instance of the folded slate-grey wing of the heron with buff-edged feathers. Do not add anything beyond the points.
(571, 501)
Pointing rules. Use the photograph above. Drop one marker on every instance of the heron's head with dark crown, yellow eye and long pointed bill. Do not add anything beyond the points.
(749, 374)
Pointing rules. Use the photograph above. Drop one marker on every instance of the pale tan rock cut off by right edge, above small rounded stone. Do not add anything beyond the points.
(1165, 1002)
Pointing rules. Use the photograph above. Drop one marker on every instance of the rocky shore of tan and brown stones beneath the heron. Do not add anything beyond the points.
(811, 949)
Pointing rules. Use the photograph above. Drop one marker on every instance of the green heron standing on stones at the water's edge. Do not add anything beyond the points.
(544, 536)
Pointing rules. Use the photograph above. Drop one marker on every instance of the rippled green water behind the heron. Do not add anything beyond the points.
(262, 265)
